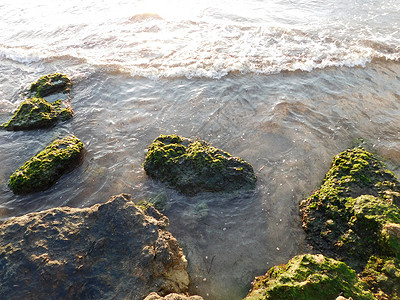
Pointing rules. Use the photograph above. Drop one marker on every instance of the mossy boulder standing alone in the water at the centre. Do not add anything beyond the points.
(193, 166)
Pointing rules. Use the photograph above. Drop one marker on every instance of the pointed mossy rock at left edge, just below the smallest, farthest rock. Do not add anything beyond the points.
(38, 113)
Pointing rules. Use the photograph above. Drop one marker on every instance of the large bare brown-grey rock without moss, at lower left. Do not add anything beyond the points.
(113, 250)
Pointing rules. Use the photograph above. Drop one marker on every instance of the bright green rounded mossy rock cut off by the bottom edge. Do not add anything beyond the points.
(309, 277)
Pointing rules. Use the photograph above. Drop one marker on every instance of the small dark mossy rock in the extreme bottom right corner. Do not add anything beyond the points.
(382, 276)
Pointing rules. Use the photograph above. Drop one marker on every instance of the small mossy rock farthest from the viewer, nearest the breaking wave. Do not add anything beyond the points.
(51, 84)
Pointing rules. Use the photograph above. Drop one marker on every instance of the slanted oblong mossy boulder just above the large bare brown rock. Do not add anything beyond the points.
(44, 169)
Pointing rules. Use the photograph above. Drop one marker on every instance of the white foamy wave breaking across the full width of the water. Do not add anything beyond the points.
(198, 49)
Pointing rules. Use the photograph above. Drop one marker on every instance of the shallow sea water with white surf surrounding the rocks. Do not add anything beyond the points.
(285, 85)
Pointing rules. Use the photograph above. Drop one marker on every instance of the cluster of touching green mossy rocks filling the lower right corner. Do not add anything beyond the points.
(355, 217)
